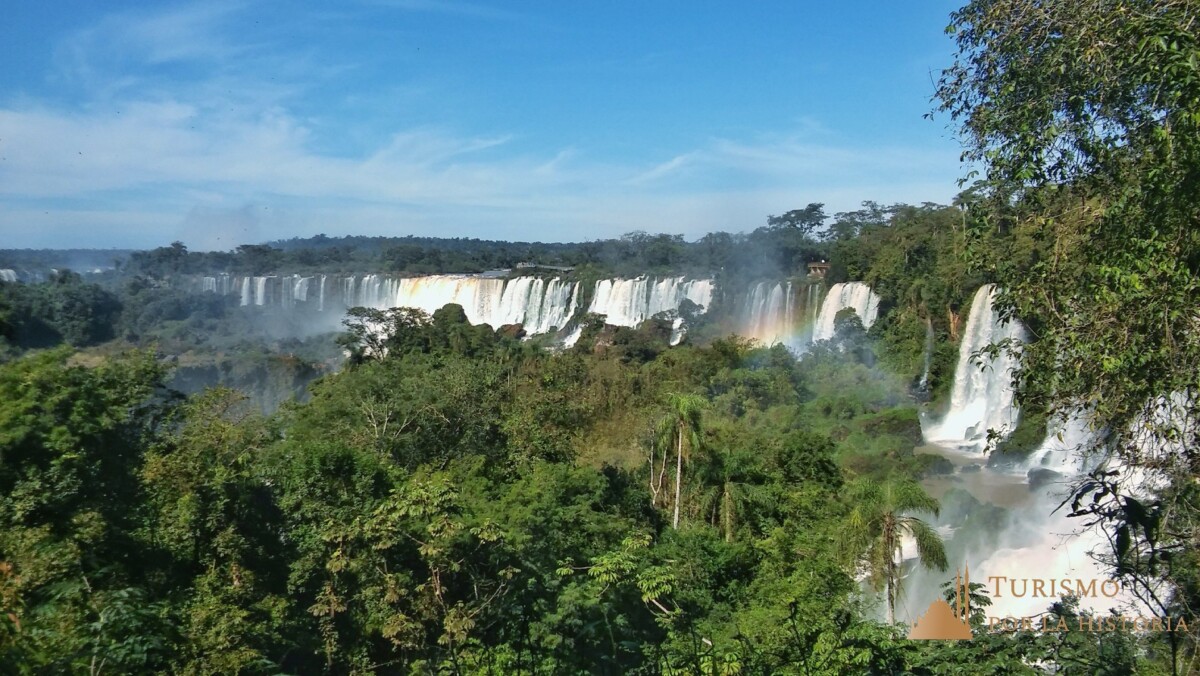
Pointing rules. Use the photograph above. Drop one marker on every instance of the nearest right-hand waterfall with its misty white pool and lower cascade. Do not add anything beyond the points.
(1001, 518)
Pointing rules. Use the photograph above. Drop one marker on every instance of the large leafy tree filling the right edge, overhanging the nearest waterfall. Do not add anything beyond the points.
(1087, 121)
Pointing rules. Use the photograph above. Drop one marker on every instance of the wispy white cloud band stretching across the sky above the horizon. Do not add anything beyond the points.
(224, 154)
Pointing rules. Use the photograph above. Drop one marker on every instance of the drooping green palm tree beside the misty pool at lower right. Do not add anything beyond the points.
(879, 522)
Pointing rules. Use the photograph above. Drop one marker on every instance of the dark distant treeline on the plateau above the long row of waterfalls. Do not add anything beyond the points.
(782, 248)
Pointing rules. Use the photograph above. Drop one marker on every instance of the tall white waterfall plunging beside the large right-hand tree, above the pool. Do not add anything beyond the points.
(982, 398)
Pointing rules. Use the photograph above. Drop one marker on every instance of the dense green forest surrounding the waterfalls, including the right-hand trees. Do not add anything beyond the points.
(447, 499)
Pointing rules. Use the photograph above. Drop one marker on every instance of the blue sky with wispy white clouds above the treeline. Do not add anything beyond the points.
(224, 123)
